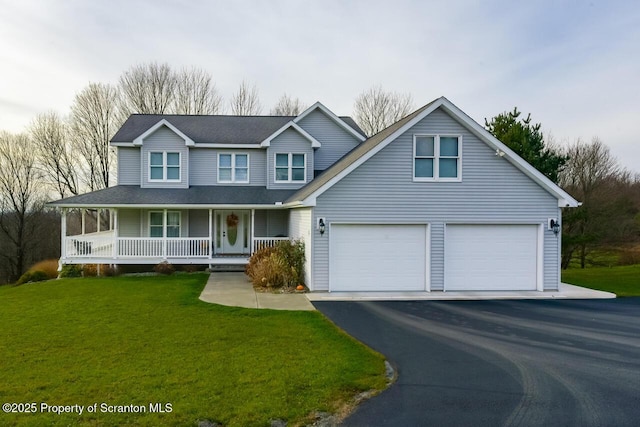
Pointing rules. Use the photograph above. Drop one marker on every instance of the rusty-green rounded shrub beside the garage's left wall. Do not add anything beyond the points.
(277, 267)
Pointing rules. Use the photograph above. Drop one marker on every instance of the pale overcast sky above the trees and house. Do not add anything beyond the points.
(574, 65)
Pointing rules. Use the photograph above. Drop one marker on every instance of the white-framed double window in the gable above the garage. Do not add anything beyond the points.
(436, 158)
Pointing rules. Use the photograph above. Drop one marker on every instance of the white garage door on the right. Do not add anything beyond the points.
(491, 257)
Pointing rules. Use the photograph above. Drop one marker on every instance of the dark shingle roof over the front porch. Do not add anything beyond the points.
(198, 196)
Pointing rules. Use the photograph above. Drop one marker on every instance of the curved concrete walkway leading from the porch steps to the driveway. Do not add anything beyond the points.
(234, 289)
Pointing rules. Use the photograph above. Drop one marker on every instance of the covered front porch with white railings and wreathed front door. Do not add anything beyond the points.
(177, 235)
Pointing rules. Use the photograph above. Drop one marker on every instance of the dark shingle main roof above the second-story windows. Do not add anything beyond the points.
(212, 129)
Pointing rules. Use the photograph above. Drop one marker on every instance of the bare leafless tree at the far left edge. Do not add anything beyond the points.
(21, 200)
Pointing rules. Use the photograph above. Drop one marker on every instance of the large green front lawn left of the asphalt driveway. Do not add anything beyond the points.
(142, 340)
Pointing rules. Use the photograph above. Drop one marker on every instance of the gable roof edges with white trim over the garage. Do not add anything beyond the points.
(360, 154)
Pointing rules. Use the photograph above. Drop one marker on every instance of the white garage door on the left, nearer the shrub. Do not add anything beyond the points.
(377, 257)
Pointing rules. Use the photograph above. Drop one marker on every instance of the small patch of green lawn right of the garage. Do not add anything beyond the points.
(624, 281)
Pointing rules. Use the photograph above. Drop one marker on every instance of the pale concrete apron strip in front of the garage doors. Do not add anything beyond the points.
(566, 291)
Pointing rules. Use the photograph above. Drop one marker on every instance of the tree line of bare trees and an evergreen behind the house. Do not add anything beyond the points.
(60, 156)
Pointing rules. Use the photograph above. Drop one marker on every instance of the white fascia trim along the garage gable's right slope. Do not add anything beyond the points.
(516, 160)
